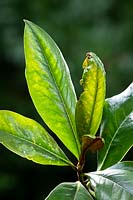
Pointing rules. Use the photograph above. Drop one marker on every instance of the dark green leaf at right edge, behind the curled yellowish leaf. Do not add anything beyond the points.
(116, 128)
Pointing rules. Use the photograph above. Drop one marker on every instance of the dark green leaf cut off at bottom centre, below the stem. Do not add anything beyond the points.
(69, 191)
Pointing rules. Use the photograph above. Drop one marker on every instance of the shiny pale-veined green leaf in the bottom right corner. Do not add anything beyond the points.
(114, 183)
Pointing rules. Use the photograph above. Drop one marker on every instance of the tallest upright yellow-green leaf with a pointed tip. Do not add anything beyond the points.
(50, 85)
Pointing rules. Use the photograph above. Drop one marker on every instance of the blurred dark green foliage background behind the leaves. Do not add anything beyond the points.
(78, 26)
